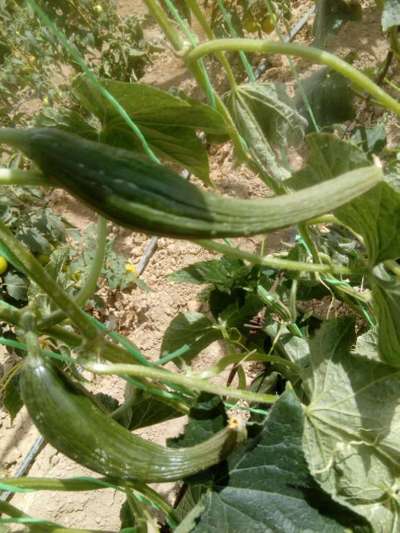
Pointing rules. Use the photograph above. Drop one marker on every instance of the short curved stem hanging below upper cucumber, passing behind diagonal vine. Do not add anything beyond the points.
(90, 284)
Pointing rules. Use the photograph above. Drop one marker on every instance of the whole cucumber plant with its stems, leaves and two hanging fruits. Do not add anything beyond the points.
(317, 319)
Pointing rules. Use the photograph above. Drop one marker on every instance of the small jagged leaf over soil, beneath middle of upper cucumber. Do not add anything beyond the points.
(223, 273)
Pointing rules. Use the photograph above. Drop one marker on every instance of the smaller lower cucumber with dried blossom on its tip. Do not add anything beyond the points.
(71, 422)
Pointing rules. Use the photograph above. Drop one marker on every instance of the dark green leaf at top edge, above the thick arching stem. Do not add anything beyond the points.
(330, 16)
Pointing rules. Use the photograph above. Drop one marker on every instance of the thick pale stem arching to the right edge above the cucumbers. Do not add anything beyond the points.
(306, 52)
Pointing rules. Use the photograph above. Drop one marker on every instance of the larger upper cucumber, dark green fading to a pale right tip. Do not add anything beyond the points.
(136, 193)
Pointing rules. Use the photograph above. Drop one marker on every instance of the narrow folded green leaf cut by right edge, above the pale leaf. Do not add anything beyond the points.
(386, 299)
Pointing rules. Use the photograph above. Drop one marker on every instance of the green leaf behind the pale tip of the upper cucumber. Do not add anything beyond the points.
(375, 215)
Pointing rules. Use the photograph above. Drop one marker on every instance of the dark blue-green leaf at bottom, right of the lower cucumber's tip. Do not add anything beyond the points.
(266, 485)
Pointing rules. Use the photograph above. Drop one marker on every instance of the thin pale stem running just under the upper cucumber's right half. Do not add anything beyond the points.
(273, 262)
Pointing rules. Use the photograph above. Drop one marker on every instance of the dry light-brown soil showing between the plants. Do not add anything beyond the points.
(142, 316)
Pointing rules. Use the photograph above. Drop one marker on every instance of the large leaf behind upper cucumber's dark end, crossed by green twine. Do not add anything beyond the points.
(169, 123)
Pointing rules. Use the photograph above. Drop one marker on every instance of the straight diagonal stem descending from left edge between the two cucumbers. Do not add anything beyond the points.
(38, 274)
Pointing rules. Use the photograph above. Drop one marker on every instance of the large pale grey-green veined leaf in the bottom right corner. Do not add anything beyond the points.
(352, 428)
